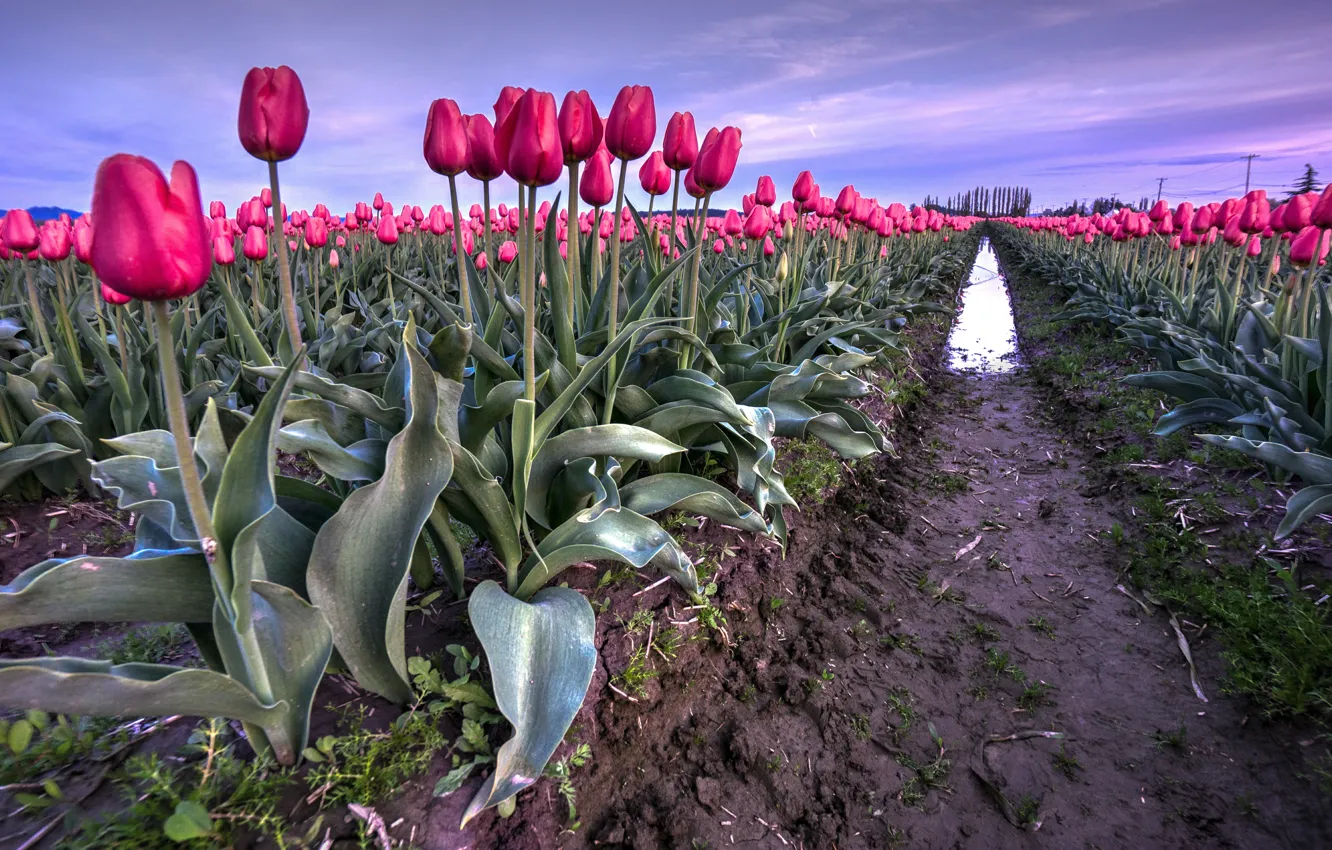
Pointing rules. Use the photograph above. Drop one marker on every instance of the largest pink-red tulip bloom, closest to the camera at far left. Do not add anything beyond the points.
(153, 239)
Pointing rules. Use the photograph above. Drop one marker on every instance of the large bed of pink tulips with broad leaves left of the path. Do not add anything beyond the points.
(552, 404)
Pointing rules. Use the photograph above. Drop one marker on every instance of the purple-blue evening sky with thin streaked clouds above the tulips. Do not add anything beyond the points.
(902, 99)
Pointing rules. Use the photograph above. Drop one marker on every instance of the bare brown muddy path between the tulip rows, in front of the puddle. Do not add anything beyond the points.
(884, 685)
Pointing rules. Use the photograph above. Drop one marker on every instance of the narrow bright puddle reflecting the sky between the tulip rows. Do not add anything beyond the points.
(984, 339)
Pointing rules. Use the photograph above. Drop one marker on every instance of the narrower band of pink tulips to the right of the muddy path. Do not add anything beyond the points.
(1231, 299)
